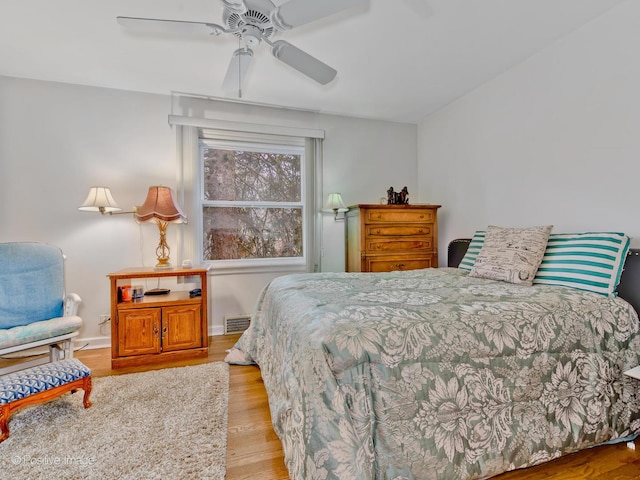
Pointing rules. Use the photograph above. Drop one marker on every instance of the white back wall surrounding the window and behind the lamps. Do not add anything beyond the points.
(56, 140)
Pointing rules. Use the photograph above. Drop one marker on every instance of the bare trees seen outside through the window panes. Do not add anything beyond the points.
(252, 204)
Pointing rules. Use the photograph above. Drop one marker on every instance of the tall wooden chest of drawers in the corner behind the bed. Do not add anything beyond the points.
(382, 238)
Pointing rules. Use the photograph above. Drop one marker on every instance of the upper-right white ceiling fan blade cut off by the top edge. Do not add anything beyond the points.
(298, 12)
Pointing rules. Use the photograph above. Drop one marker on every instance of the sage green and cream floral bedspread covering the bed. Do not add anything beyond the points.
(431, 374)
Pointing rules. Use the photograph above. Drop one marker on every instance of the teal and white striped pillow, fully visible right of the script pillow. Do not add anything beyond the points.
(590, 261)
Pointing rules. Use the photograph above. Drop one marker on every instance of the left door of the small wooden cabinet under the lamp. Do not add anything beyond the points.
(138, 331)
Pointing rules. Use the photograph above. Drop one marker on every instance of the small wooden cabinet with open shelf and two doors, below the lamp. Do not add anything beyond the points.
(157, 328)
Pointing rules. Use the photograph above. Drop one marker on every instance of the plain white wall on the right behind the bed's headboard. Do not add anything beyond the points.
(552, 141)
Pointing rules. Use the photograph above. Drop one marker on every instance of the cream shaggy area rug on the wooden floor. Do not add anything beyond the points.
(161, 424)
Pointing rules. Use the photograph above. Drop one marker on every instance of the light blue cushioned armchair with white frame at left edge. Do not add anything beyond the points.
(34, 309)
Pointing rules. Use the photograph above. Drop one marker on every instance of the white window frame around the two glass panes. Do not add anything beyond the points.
(255, 143)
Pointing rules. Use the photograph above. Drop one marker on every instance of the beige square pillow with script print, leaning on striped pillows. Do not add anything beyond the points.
(511, 254)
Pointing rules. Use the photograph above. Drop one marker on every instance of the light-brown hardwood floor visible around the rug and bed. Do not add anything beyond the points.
(254, 451)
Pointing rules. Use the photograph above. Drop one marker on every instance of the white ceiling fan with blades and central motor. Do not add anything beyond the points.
(254, 22)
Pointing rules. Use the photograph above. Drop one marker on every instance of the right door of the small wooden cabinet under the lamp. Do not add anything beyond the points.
(181, 327)
